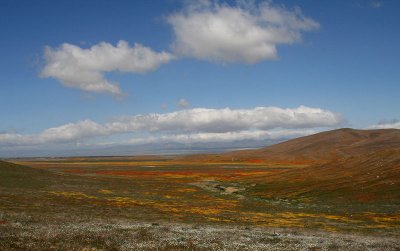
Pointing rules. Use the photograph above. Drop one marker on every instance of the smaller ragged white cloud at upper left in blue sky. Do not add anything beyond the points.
(84, 68)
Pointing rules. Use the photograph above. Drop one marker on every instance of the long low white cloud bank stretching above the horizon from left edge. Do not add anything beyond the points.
(199, 124)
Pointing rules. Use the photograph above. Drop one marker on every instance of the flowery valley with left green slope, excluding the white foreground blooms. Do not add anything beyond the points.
(164, 190)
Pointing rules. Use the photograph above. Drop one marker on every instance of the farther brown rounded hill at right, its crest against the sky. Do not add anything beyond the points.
(316, 148)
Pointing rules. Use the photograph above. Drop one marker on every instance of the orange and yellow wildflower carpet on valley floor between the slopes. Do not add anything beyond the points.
(241, 193)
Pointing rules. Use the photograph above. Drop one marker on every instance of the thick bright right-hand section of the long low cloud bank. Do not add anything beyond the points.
(227, 120)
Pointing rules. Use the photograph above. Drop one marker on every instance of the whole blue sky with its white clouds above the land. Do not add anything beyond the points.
(117, 77)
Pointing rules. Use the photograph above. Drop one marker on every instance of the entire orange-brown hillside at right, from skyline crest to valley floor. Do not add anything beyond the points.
(344, 164)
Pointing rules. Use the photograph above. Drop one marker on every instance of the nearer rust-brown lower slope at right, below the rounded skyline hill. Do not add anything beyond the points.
(364, 178)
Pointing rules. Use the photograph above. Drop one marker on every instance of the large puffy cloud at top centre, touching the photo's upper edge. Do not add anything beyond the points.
(243, 33)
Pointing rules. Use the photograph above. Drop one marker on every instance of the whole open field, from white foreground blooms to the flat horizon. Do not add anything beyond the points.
(124, 202)
